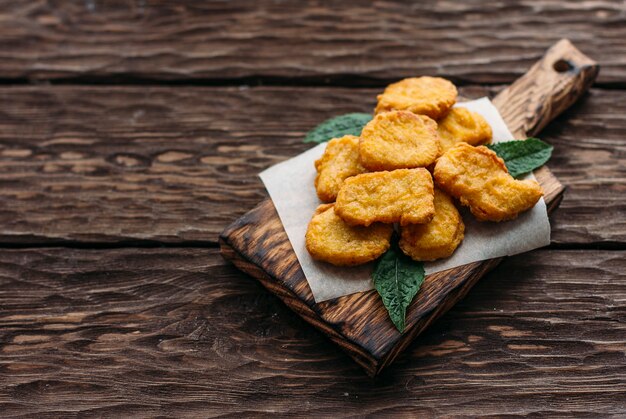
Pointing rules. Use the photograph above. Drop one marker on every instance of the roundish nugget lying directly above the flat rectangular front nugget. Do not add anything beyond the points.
(399, 140)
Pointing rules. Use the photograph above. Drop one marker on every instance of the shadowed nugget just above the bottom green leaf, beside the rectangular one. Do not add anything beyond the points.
(437, 239)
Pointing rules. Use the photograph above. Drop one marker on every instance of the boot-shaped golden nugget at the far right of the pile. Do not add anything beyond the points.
(481, 181)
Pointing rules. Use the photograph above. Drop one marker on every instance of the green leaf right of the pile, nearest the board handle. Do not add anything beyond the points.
(523, 156)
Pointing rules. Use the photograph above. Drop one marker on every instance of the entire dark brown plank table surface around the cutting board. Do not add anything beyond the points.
(131, 133)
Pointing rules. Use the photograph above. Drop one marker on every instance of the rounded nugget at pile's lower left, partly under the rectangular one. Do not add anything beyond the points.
(330, 239)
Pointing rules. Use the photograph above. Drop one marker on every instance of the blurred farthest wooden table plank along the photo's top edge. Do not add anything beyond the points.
(347, 43)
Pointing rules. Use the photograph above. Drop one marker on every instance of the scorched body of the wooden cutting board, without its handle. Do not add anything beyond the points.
(359, 323)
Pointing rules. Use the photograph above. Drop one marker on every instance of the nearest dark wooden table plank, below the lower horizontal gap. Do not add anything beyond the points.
(175, 332)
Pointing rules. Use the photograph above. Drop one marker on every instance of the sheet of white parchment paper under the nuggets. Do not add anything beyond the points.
(290, 185)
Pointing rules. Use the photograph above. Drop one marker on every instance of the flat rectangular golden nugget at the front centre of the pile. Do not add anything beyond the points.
(404, 196)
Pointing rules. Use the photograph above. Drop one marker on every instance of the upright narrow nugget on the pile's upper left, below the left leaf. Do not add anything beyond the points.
(339, 162)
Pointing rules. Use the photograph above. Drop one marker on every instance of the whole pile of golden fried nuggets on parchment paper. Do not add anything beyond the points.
(414, 161)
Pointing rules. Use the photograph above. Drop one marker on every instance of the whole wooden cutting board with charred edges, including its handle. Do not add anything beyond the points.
(258, 245)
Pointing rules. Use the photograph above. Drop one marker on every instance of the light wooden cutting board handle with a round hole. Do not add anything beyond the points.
(552, 85)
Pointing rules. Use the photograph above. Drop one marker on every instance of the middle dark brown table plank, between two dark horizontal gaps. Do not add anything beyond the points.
(175, 164)
